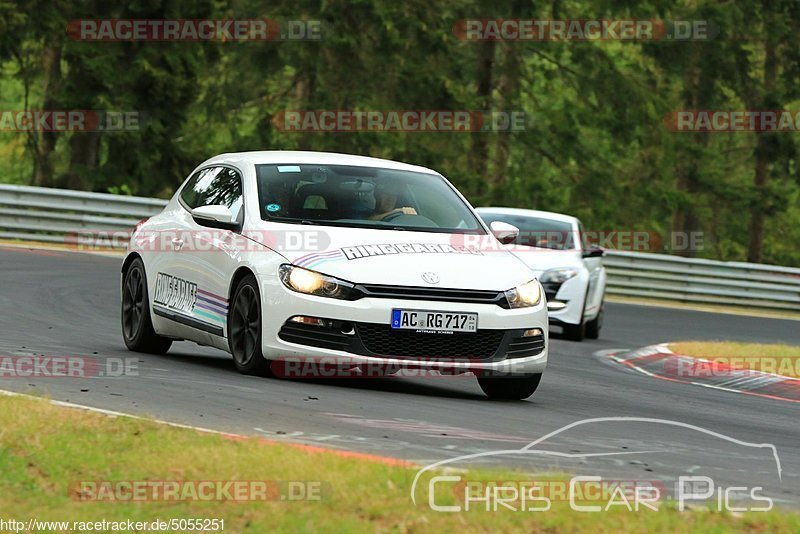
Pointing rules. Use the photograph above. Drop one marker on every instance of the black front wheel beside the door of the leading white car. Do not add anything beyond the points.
(244, 329)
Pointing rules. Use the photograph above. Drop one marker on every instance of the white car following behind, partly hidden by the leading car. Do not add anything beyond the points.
(571, 272)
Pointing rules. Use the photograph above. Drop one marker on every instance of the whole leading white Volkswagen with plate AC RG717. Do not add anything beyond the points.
(278, 255)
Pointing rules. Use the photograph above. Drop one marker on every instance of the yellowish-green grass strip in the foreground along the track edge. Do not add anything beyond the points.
(45, 450)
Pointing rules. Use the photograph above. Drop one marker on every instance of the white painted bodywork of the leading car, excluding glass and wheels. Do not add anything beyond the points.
(158, 242)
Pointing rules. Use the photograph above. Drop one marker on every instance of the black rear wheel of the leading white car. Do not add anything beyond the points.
(137, 325)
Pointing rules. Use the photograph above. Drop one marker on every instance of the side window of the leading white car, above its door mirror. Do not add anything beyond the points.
(214, 185)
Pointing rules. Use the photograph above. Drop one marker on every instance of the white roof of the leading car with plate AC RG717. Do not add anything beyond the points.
(267, 157)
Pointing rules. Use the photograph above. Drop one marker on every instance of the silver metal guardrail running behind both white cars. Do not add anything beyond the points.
(44, 214)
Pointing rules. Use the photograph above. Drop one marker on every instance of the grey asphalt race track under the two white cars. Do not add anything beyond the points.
(64, 303)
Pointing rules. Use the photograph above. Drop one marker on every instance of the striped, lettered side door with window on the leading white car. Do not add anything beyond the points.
(205, 256)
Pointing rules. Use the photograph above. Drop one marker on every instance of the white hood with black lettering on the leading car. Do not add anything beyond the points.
(395, 257)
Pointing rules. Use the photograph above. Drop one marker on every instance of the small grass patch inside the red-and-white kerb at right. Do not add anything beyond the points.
(770, 358)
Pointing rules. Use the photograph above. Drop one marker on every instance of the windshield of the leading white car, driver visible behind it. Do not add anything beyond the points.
(363, 197)
